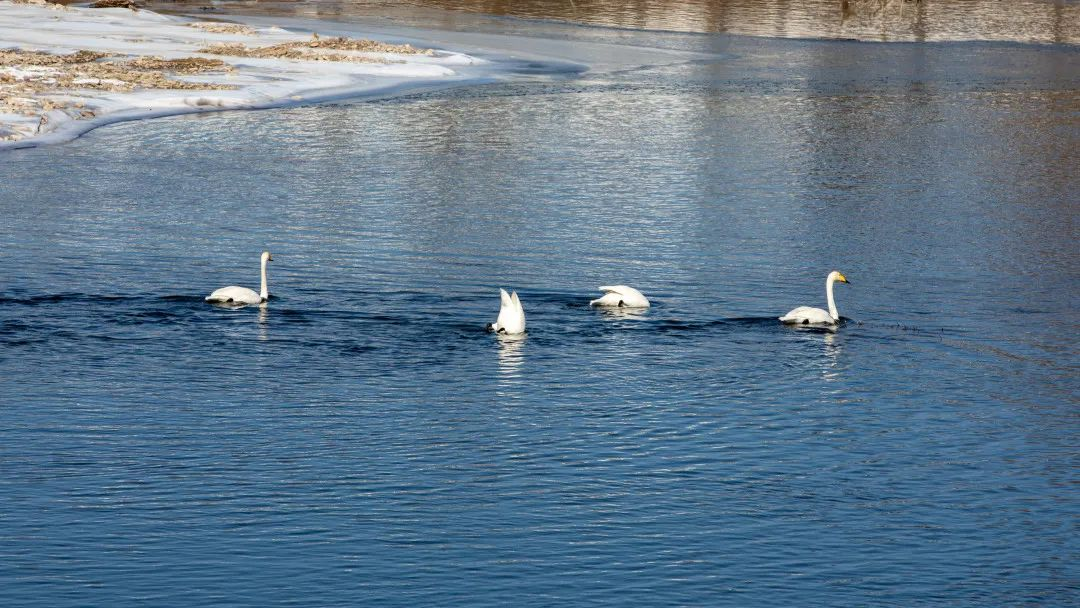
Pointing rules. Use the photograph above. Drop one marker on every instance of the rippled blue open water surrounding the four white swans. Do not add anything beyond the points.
(362, 441)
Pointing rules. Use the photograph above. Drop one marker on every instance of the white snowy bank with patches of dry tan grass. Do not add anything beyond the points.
(139, 64)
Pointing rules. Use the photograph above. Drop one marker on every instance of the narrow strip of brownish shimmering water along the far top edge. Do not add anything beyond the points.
(887, 21)
